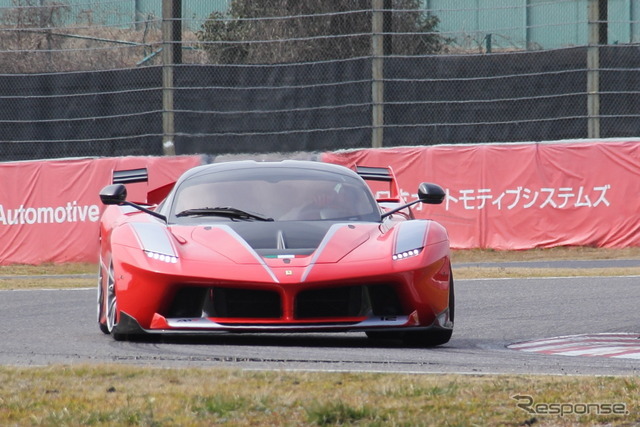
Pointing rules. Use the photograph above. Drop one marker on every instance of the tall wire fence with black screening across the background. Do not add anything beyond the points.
(120, 77)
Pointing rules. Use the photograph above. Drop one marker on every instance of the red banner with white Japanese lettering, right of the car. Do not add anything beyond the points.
(522, 196)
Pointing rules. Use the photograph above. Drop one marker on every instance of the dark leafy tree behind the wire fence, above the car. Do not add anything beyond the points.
(271, 31)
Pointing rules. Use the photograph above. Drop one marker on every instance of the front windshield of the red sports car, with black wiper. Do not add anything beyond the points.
(273, 194)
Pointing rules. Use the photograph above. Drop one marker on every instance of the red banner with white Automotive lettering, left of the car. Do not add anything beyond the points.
(49, 210)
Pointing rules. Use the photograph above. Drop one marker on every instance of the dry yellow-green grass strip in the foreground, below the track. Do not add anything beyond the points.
(145, 396)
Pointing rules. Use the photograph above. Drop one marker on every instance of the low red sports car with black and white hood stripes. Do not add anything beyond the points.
(291, 246)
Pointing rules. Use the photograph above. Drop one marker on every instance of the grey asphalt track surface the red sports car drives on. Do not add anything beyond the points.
(40, 327)
